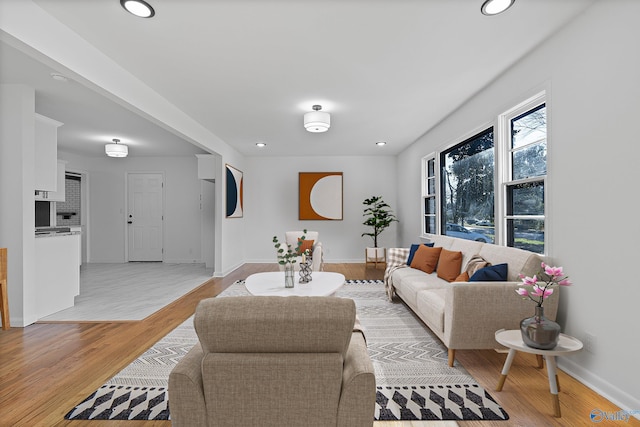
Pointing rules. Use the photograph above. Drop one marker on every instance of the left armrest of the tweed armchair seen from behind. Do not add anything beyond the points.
(186, 394)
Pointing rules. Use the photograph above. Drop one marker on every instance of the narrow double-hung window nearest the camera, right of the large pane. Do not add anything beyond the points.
(525, 185)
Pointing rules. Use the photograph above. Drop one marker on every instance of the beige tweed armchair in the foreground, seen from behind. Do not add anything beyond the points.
(273, 362)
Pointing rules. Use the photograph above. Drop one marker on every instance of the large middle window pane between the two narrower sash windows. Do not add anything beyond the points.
(467, 187)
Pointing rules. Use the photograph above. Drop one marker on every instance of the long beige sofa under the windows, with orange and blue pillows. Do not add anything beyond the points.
(466, 315)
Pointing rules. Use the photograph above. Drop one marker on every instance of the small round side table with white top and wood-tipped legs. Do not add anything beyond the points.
(512, 339)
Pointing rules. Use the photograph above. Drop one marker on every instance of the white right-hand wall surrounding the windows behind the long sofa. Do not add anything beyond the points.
(591, 70)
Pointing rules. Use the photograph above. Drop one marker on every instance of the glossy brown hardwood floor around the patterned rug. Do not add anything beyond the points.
(46, 369)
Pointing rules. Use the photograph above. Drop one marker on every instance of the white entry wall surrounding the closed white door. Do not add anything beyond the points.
(107, 200)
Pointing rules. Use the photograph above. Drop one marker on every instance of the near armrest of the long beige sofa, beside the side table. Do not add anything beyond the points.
(475, 310)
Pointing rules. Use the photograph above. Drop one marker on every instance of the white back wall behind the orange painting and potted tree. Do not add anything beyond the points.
(271, 204)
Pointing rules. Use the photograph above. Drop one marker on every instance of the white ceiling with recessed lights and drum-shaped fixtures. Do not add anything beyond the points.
(247, 70)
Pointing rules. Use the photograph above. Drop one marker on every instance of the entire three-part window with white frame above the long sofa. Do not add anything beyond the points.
(491, 186)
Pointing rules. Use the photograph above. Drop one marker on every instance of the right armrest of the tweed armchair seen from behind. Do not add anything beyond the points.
(358, 397)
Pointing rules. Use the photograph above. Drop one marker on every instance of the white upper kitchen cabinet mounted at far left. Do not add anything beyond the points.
(46, 154)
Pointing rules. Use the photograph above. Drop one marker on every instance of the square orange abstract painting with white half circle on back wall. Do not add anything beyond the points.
(320, 195)
